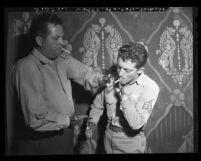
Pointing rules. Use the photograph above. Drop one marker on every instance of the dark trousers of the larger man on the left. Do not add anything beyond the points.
(50, 143)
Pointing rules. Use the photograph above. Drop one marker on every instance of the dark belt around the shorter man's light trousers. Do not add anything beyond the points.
(128, 131)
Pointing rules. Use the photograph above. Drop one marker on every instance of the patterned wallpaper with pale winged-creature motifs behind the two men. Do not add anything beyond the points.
(96, 38)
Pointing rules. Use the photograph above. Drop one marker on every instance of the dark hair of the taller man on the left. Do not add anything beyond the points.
(39, 25)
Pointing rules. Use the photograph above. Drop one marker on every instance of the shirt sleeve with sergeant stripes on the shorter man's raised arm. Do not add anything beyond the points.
(138, 113)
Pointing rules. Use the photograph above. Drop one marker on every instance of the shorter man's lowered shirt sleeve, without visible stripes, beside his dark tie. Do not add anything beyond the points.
(97, 108)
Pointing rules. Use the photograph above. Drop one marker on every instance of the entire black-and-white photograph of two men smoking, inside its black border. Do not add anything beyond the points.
(100, 80)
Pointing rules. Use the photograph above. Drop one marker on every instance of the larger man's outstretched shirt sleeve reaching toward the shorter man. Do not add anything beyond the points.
(82, 74)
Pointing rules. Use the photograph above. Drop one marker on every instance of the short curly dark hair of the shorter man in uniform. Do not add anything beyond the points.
(135, 52)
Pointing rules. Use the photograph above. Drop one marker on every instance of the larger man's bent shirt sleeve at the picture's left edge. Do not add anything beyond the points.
(38, 114)
